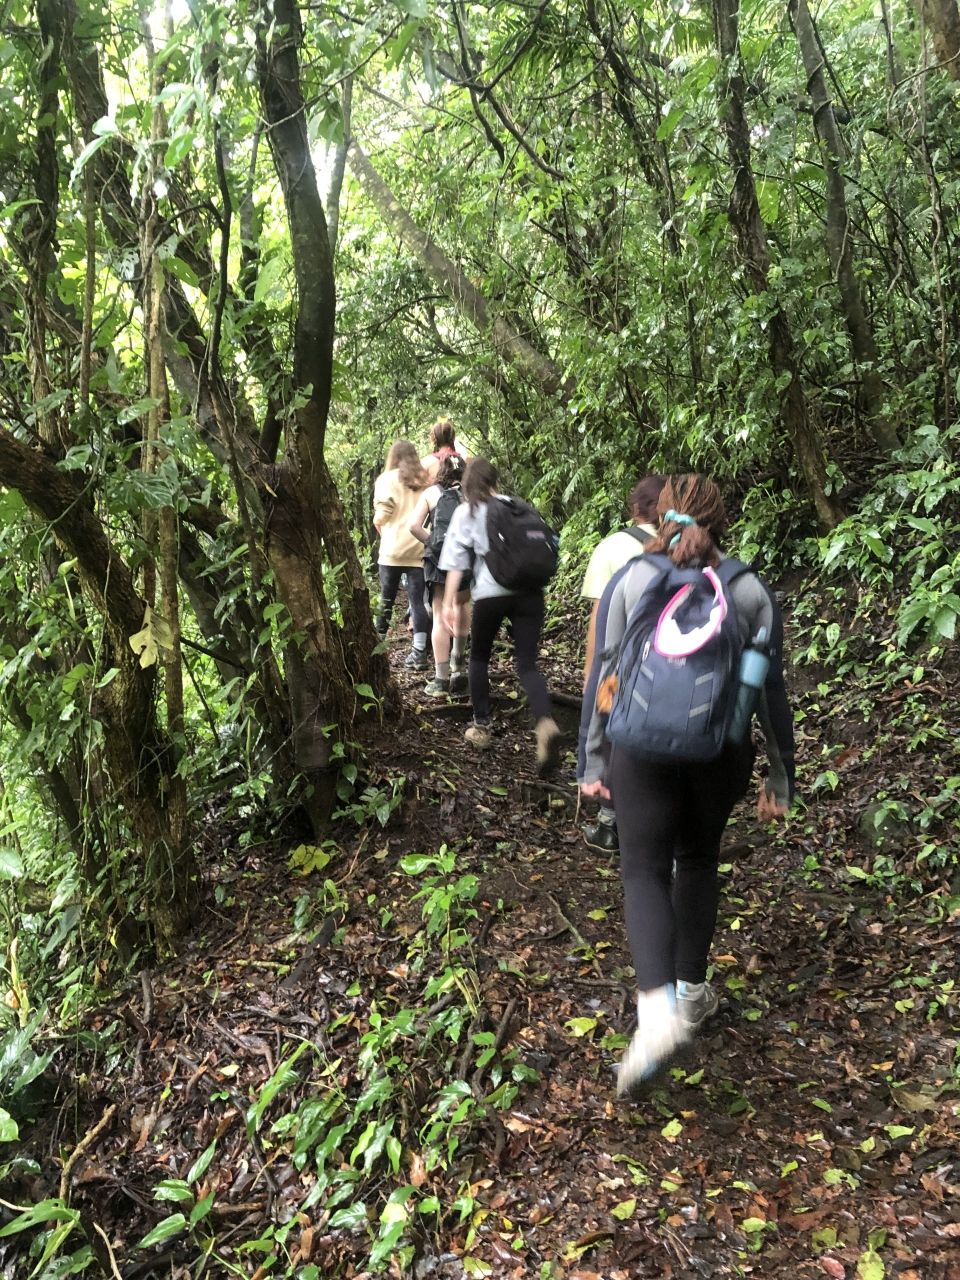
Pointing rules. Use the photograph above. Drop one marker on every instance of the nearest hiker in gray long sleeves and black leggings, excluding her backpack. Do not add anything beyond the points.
(671, 813)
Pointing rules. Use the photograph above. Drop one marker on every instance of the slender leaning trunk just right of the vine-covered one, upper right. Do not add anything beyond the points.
(840, 245)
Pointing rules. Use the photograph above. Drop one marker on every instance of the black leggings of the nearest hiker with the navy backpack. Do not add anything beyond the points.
(671, 819)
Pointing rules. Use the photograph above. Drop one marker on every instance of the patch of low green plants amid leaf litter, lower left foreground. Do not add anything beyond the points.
(378, 1114)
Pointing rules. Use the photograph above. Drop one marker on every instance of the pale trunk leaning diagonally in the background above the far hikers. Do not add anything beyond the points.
(511, 346)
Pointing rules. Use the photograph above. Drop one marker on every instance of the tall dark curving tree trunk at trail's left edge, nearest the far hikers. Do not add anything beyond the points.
(305, 515)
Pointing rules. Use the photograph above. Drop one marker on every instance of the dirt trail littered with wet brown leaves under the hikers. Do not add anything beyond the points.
(813, 1130)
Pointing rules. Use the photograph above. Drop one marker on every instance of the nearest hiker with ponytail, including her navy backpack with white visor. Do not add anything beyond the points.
(689, 648)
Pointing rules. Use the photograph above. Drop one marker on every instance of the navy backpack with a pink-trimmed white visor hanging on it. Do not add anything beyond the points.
(673, 684)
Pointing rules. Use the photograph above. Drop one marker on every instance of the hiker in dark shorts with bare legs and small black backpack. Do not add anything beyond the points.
(429, 525)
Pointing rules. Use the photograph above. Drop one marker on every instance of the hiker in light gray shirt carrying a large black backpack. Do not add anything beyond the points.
(511, 555)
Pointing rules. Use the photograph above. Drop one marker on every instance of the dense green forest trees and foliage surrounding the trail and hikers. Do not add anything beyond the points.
(244, 249)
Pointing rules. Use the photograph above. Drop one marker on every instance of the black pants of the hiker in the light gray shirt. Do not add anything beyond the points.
(527, 612)
